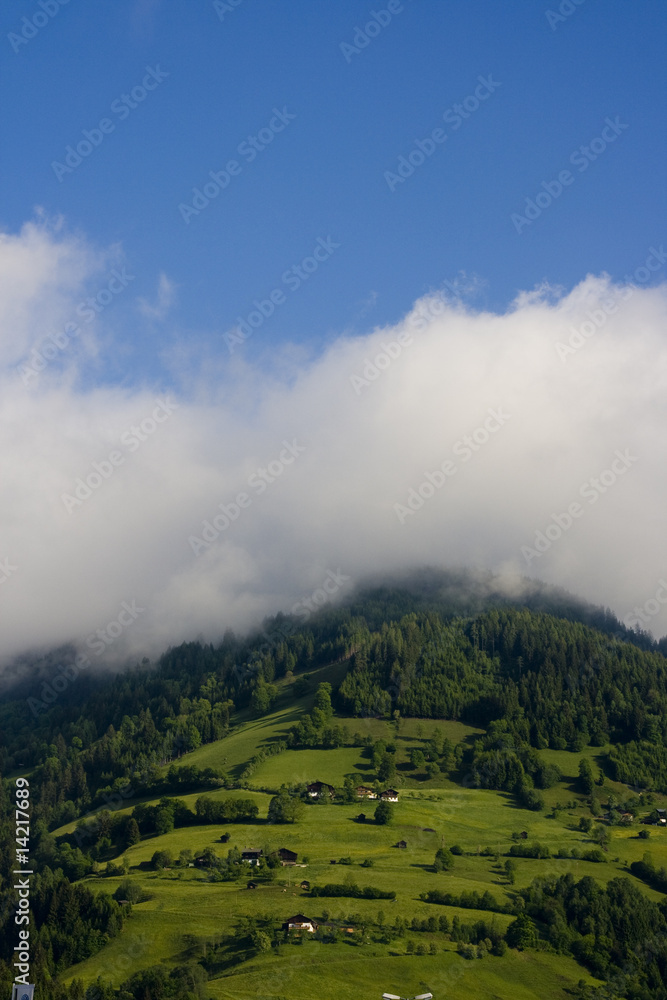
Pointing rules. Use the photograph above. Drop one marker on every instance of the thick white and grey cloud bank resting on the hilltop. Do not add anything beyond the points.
(528, 443)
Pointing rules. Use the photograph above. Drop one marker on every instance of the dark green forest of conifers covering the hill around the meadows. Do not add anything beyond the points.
(529, 680)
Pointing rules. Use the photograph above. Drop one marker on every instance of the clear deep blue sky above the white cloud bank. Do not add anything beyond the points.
(355, 114)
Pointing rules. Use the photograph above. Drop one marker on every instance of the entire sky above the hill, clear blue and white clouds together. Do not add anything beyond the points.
(427, 290)
